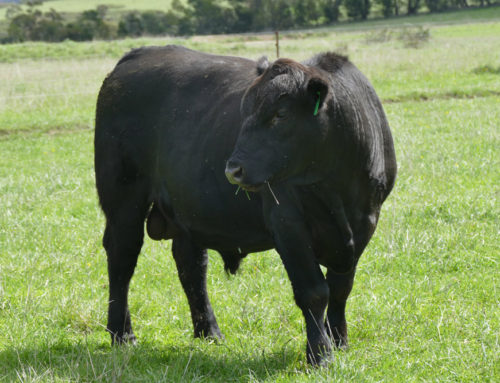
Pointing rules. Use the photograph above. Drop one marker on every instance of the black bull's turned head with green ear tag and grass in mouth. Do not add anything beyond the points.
(284, 125)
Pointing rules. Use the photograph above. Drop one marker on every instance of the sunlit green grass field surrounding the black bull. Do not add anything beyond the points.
(425, 303)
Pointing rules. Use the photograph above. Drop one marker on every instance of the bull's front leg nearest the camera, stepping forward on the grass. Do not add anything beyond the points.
(293, 243)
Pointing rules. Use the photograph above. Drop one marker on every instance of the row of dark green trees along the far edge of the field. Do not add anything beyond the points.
(210, 17)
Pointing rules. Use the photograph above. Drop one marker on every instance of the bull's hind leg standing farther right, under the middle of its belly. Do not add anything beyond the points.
(192, 264)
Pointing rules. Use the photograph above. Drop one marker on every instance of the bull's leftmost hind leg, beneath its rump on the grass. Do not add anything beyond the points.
(123, 240)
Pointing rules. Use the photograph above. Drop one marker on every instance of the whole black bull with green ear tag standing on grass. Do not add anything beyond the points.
(309, 142)
